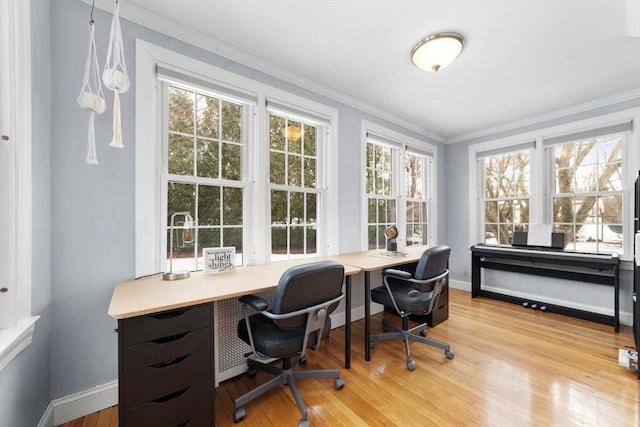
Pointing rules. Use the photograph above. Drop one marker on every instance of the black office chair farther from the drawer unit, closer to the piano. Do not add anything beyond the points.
(416, 293)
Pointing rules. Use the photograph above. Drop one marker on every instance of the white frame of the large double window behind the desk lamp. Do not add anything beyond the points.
(148, 219)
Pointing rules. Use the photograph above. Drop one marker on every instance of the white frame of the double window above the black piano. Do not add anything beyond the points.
(541, 207)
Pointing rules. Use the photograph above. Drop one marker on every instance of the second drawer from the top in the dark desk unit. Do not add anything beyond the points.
(163, 349)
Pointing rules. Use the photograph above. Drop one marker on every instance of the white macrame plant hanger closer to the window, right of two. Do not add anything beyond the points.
(115, 75)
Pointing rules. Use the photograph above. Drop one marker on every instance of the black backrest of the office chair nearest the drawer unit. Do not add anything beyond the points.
(305, 286)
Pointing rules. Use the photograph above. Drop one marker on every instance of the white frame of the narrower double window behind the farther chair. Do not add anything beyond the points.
(401, 144)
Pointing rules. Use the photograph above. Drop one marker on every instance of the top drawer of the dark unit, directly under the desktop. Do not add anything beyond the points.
(167, 323)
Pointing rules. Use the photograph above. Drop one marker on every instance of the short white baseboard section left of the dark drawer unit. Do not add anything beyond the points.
(83, 403)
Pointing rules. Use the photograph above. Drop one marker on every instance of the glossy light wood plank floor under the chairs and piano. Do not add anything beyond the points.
(513, 367)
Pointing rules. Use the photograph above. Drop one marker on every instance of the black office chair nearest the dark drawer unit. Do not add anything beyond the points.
(299, 319)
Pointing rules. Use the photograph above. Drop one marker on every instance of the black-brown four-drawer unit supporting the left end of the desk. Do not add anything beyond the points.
(166, 374)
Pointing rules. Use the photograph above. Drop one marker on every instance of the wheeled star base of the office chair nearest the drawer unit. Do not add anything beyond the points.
(287, 376)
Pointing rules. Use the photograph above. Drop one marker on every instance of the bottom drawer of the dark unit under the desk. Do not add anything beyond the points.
(186, 407)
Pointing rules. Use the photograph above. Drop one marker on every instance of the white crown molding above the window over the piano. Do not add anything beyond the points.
(576, 109)
